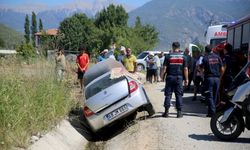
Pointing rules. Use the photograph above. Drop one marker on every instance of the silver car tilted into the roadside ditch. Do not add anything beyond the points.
(111, 94)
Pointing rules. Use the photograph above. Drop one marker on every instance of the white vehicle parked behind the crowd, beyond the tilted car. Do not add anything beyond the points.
(141, 59)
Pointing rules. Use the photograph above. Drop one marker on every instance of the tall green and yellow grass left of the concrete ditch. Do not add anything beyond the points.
(31, 101)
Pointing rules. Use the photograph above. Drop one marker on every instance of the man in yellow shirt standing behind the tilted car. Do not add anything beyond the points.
(130, 61)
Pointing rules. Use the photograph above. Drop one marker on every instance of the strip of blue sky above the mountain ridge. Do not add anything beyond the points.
(134, 3)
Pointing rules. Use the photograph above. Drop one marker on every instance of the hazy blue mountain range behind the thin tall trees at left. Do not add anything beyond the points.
(51, 16)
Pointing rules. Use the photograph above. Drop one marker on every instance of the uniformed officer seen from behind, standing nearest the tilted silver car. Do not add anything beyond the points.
(174, 65)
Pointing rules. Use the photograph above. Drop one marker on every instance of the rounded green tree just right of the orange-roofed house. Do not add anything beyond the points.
(79, 30)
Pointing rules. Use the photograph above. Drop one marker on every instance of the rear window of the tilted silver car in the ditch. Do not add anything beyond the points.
(101, 84)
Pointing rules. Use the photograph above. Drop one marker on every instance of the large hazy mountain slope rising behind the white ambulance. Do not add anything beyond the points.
(187, 20)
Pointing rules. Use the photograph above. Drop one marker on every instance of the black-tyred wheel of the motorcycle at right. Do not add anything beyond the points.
(229, 130)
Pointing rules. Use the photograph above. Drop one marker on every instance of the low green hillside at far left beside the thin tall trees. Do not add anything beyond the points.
(10, 37)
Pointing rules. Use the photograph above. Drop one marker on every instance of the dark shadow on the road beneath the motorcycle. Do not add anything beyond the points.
(211, 137)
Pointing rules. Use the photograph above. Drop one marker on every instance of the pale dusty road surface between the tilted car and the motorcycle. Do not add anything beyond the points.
(157, 133)
